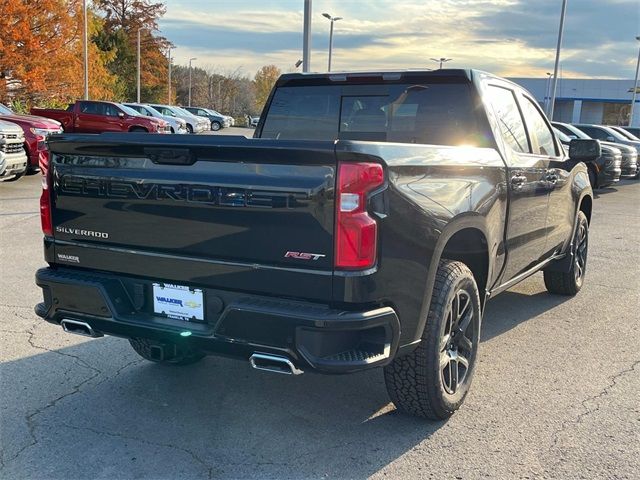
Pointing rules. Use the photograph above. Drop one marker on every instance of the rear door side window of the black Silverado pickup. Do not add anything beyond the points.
(509, 118)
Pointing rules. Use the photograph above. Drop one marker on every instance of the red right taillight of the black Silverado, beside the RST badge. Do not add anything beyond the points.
(356, 232)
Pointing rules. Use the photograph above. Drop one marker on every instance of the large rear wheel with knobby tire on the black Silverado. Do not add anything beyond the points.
(433, 380)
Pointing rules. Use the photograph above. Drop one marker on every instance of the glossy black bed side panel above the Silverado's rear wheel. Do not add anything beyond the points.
(431, 193)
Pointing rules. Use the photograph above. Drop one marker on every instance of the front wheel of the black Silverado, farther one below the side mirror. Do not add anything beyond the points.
(570, 282)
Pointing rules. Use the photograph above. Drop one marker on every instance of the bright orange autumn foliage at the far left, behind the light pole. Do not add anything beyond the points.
(41, 54)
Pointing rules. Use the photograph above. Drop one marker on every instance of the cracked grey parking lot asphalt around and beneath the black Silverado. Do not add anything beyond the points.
(556, 393)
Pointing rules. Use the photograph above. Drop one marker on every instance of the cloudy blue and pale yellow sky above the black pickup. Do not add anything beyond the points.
(506, 37)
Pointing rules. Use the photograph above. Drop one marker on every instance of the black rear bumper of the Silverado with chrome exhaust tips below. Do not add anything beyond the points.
(312, 336)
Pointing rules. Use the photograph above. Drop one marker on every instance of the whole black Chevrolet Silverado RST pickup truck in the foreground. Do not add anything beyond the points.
(365, 225)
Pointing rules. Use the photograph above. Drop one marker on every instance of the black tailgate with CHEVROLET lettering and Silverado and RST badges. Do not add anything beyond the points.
(221, 212)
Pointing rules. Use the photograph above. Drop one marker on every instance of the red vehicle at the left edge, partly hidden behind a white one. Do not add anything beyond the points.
(36, 129)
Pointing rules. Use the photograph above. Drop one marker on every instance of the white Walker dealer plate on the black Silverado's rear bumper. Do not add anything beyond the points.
(179, 302)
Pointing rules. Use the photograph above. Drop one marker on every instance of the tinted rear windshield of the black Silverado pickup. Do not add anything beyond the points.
(440, 114)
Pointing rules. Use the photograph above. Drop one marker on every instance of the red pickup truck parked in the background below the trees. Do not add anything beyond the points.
(89, 116)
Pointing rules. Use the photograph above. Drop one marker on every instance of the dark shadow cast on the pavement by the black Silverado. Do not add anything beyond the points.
(95, 410)
